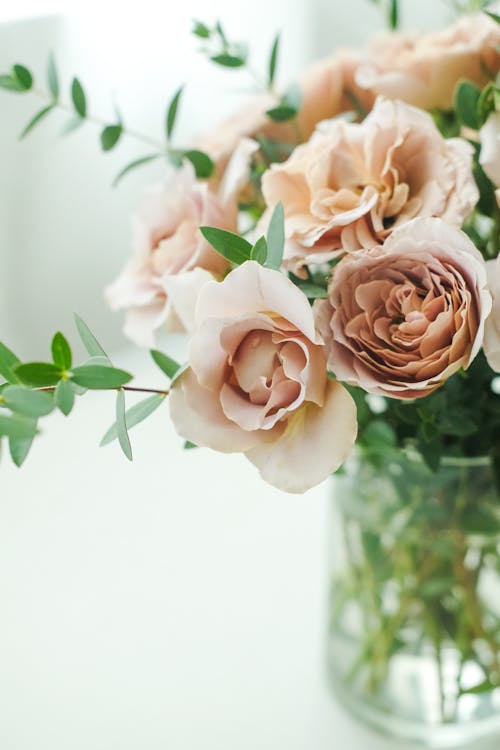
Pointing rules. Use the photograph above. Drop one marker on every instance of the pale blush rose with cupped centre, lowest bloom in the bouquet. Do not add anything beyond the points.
(257, 381)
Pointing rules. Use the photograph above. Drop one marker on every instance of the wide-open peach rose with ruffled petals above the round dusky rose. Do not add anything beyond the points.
(352, 184)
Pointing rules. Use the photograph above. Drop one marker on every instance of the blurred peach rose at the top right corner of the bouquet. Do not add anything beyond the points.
(423, 70)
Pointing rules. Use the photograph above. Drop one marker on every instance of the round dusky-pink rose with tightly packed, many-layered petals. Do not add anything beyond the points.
(400, 319)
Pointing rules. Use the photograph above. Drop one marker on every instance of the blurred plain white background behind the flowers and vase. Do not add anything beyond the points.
(176, 602)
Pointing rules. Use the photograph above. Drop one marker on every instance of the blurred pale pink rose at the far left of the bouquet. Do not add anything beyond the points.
(171, 261)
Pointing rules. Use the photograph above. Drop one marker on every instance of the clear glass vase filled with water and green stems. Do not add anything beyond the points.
(414, 630)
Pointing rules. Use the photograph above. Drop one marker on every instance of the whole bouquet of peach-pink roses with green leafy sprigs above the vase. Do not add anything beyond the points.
(331, 251)
